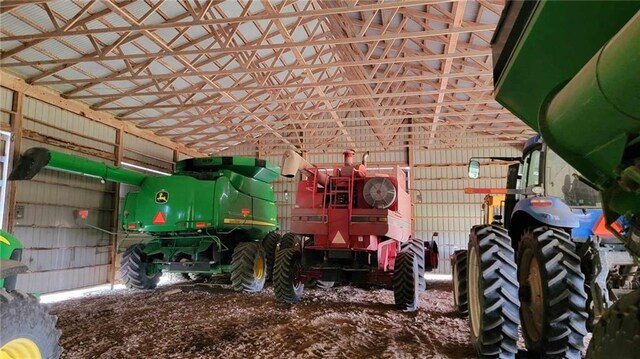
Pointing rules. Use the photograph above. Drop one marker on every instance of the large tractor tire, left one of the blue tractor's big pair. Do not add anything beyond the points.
(493, 292)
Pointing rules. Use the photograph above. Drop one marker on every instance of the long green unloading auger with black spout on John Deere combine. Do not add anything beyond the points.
(35, 159)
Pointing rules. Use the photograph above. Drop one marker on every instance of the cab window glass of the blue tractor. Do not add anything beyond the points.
(562, 182)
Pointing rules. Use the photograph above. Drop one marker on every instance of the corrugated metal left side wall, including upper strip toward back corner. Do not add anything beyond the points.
(62, 253)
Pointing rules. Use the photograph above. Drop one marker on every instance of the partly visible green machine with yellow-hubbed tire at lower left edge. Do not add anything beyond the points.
(27, 330)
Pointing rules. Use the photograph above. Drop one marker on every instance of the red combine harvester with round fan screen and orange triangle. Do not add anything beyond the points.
(353, 228)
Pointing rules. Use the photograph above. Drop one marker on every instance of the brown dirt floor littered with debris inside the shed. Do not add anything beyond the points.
(208, 320)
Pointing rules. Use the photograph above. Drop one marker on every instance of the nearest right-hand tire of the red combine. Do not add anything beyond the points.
(406, 281)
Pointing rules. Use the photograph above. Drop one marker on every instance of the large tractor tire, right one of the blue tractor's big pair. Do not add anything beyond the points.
(553, 321)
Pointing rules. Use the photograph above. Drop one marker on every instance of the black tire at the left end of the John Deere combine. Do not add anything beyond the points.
(137, 271)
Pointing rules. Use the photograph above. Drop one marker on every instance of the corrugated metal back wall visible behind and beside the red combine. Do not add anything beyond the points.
(440, 175)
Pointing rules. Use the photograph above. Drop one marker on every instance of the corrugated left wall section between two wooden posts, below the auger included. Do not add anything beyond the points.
(61, 253)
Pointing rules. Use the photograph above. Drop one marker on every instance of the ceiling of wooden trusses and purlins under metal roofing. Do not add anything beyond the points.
(266, 75)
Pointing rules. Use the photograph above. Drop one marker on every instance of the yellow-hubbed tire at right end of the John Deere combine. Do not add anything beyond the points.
(248, 267)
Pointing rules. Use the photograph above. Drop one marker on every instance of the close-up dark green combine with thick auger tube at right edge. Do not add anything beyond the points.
(571, 71)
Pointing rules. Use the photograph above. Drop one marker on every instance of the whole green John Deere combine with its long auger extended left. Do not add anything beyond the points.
(212, 215)
